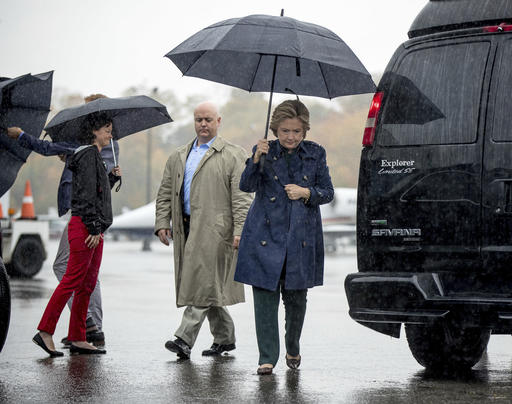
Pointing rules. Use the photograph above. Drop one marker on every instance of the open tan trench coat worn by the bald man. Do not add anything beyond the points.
(204, 266)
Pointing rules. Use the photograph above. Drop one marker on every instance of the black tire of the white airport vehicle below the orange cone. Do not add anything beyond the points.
(27, 258)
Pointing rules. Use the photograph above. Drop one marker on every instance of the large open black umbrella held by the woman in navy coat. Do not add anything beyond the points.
(274, 54)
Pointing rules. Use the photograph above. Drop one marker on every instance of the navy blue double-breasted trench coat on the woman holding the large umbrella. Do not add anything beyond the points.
(278, 228)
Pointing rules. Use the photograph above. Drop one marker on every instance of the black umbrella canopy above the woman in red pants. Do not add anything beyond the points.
(129, 115)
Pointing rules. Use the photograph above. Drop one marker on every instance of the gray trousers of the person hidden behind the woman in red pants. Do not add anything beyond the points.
(94, 311)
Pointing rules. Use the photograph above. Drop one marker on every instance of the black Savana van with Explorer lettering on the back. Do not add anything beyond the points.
(434, 215)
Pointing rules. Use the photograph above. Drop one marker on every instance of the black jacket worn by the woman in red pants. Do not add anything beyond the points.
(90, 197)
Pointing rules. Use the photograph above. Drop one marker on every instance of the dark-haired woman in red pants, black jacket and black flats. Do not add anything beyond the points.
(91, 215)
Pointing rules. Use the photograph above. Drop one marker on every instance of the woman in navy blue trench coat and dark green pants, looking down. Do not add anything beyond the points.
(281, 250)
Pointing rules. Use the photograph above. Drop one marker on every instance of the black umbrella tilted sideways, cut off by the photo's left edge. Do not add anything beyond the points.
(24, 102)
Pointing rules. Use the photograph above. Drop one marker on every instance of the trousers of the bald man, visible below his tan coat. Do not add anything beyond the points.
(221, 325)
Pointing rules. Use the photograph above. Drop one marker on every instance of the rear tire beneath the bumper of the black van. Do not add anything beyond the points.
(446, 346)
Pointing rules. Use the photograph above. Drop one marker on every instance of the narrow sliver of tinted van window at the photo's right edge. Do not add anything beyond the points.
(502, 128)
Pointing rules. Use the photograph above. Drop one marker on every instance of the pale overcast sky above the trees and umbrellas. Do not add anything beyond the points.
(109, 45)
